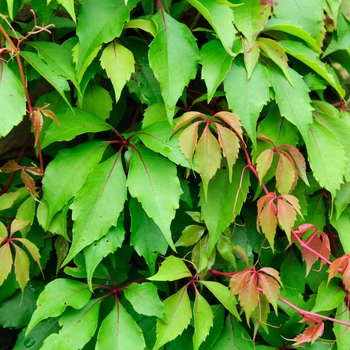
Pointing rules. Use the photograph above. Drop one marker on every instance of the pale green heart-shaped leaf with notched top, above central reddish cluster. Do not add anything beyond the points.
(246, 97)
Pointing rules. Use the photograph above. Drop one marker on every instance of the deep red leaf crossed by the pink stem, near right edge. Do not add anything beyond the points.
(319, 245)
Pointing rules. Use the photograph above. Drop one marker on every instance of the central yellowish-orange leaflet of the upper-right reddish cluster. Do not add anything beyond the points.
(285, 175)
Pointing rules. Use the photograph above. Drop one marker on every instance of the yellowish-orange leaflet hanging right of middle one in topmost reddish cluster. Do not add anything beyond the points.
(230, 146)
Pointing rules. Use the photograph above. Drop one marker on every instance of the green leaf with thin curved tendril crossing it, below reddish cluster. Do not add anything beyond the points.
(224, 201)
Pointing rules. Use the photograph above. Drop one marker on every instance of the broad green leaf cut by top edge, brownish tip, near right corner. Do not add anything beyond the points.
(309, 15)
